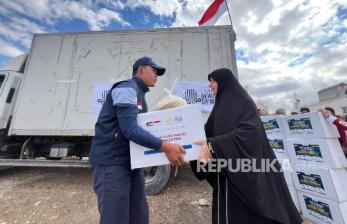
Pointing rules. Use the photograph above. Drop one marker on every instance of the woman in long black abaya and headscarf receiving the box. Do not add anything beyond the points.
(234, 131)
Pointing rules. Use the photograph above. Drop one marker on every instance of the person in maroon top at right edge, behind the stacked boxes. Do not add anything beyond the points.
(341, 125)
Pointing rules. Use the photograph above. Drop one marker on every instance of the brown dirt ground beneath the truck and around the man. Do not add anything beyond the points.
(65, 195)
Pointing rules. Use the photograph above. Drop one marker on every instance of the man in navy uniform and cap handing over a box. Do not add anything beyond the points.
(120, 190)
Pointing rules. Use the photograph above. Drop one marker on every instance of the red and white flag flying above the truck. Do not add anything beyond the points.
(212, 14)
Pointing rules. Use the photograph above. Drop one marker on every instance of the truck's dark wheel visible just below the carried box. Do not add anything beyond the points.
(156, 178)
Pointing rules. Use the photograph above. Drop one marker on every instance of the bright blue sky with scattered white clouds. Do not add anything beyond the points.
(282, 46)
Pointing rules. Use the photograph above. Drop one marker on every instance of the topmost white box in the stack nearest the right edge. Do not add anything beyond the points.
(309, 125)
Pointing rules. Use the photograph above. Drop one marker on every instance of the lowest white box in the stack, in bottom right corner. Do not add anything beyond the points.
(322, 210)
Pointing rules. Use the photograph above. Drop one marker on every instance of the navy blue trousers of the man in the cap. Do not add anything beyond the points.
(121, 194)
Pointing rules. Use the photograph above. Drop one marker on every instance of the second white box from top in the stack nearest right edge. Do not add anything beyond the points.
(319, 152)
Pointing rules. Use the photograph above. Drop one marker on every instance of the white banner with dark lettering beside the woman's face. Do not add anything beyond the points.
(196, 93)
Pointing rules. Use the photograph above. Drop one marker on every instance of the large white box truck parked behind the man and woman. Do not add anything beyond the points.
(53, 115)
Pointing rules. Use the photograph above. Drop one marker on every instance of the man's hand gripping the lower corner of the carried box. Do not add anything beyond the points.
(174, 153)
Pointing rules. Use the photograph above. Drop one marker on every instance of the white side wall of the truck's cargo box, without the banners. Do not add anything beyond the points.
(56, 94)
